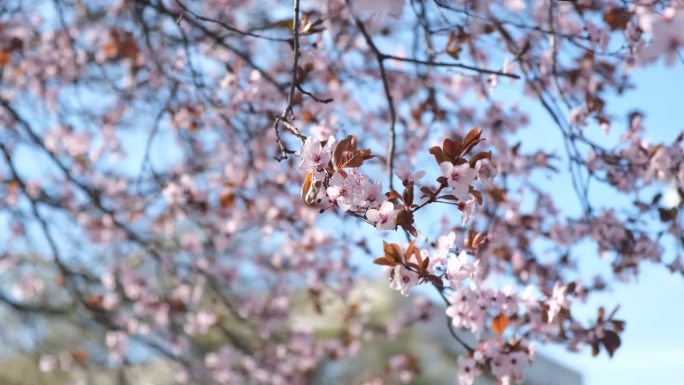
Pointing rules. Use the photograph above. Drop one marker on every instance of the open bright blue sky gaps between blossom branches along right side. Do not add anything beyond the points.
(653, 342)
